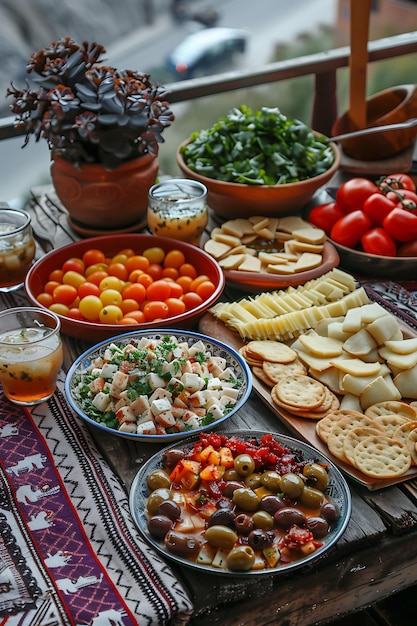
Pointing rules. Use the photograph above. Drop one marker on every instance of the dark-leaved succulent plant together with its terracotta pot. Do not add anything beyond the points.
(103, 126)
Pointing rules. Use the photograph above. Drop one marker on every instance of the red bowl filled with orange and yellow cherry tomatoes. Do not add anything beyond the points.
(117, 283)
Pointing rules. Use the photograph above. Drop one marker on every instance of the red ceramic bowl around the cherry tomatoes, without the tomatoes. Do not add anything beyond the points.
(110, 245)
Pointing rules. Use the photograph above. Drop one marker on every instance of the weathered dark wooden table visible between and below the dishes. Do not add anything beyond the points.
(376, 556)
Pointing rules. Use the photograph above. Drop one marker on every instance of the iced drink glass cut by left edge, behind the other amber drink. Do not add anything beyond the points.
(17, 248)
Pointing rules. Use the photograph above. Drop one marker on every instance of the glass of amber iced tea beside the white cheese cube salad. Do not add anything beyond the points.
(30, 354)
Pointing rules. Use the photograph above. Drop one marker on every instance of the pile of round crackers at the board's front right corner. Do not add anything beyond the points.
(381, 442)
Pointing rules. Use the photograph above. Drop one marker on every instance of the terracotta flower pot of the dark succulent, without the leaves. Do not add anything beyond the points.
(105, 199)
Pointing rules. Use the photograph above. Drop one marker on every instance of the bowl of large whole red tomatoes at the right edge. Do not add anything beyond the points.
(373, 226)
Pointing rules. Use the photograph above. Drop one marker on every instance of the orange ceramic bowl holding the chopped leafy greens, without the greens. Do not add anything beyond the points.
(231, 200)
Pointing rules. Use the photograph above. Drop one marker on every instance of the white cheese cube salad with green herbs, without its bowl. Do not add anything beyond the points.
(156, 386)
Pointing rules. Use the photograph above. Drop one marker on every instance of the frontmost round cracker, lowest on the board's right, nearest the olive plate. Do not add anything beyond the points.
(382, 457)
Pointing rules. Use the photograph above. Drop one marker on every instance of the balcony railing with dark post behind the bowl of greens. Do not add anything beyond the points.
(323, 66)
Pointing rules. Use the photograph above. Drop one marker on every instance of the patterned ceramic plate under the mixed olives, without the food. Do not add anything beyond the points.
(337, 490)
